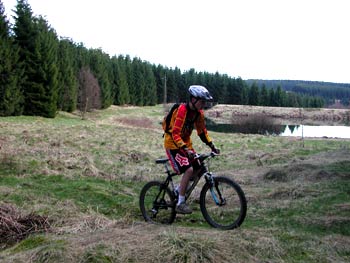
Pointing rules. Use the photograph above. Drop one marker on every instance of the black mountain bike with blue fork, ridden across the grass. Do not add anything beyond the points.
(222, 201)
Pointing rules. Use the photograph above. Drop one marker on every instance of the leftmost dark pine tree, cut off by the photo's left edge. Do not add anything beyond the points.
(11, 97)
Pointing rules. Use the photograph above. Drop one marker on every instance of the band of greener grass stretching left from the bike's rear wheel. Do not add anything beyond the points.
(102, 196)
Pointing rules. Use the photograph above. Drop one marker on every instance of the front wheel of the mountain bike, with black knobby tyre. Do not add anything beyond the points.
(223, 204)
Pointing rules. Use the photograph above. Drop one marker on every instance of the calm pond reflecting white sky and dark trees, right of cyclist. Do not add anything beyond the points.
(321, 131)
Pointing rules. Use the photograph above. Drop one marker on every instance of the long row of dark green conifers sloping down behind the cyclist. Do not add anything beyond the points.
(42, 73)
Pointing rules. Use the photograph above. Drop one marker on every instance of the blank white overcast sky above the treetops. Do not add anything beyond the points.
(251, 39)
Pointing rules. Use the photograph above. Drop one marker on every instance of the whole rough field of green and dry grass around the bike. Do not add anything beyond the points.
(84, 178)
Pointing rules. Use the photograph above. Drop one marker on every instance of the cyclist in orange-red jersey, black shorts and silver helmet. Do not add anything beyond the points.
(178, 143)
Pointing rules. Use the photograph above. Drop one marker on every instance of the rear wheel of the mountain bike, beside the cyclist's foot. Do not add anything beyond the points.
(157, 203)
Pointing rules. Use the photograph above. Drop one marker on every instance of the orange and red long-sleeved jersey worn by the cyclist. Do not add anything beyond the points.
(182, 123)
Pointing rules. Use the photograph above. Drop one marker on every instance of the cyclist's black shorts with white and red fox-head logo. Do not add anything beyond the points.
(180, 161)
